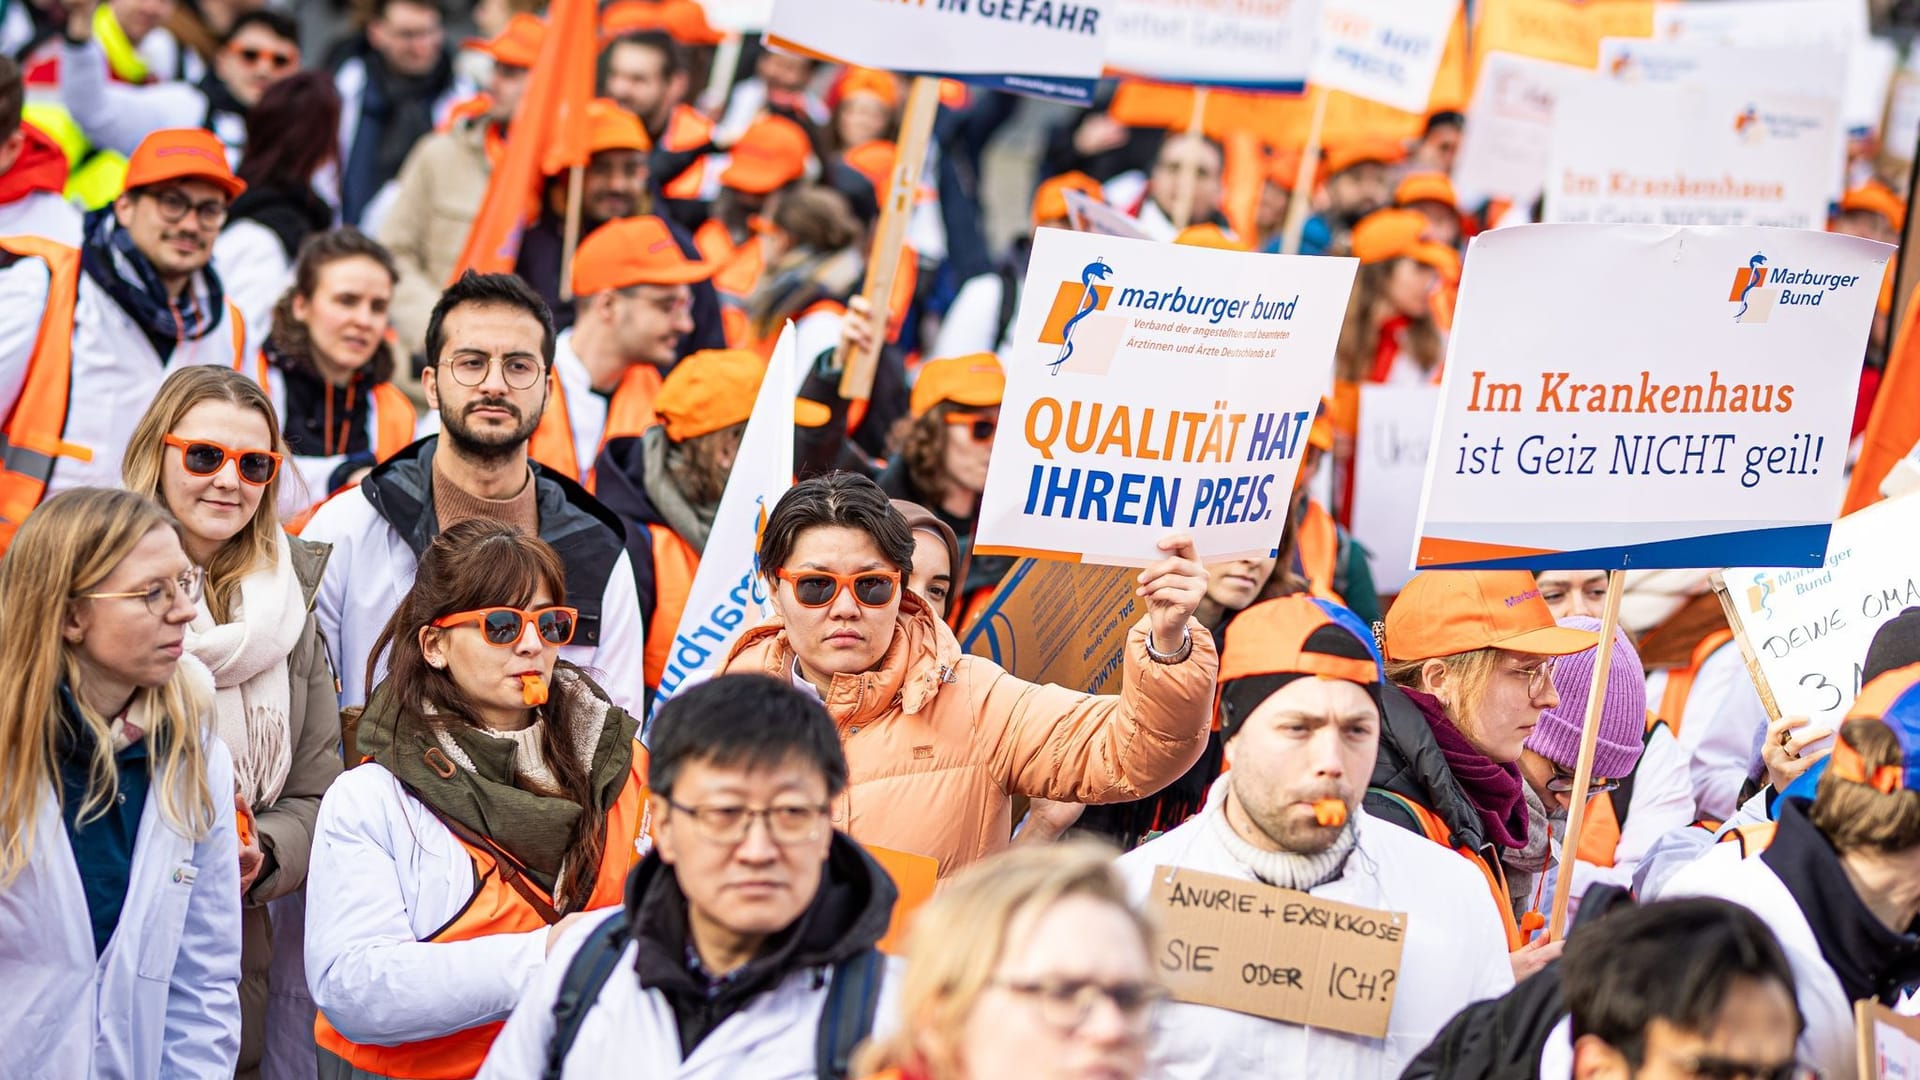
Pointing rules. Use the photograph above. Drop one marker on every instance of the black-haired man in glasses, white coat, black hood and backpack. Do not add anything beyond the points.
(748, 941)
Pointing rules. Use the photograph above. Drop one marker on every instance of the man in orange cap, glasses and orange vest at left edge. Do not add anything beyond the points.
(89, 335)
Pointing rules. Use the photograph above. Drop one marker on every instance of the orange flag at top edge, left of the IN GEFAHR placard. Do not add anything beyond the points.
(548, 134)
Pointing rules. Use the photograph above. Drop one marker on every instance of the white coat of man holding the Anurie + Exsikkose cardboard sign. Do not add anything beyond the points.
(1456, 954)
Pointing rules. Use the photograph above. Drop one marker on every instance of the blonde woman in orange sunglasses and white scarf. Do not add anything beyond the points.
(210, 451)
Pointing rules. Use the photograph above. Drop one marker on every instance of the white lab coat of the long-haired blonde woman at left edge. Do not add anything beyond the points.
(164, 998)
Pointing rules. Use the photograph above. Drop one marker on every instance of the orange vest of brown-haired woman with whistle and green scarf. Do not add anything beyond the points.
(498, 908)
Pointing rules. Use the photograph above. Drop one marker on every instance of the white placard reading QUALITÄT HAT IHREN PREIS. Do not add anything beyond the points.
(1157, 389)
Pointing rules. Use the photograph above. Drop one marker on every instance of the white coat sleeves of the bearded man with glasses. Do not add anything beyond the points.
(373, 570)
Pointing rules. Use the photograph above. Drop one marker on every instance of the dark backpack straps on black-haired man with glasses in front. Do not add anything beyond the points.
(846, 1019)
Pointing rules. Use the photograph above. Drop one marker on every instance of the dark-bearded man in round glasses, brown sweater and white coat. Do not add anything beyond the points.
(491, 351)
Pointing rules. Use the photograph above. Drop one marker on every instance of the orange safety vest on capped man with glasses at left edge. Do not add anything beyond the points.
(32, 441)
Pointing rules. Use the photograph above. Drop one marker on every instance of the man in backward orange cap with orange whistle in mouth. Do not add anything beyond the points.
(1301, 716)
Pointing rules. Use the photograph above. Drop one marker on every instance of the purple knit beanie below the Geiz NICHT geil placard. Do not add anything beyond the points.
(1623, 712)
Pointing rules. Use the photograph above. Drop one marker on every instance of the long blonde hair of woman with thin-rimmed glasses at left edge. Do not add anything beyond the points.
(68, 547)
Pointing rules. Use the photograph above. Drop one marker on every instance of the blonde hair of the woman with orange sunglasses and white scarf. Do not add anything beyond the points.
(254, 547)
